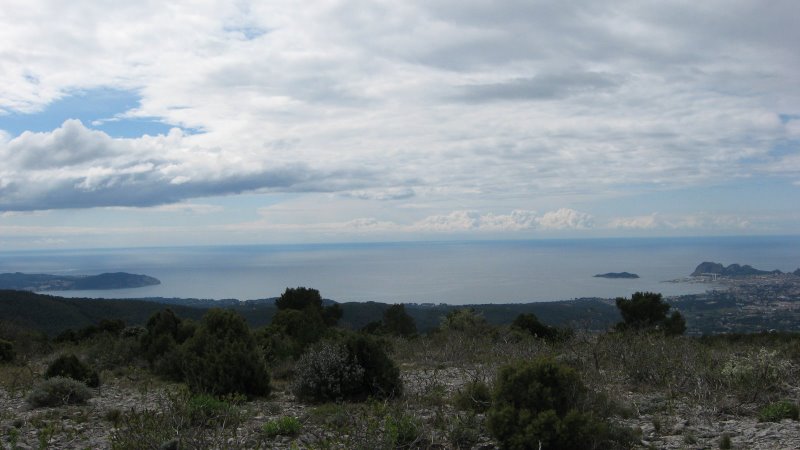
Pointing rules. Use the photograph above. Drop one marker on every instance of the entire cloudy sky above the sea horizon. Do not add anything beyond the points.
(154, 123)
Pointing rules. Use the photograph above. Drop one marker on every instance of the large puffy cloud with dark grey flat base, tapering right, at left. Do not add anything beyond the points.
(75, 167)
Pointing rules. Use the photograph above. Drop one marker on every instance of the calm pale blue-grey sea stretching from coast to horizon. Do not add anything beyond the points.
(448, 272)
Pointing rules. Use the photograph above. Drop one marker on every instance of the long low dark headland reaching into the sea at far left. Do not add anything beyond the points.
(43, 282)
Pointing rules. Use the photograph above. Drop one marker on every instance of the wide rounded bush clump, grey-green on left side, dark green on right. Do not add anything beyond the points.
(354, 368)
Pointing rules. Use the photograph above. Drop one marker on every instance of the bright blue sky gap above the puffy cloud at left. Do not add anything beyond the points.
(96, 108)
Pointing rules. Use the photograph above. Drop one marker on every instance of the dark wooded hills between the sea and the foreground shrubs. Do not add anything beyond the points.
(52, 315)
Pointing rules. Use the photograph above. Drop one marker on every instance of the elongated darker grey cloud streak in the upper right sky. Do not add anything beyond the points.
(542, 87)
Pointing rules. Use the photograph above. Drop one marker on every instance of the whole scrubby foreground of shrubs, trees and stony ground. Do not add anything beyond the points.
(302, 381)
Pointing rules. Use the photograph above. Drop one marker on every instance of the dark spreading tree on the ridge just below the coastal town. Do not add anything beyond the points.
(648, 311)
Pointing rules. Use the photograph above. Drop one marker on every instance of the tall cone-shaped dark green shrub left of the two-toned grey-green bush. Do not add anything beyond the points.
(222, 357)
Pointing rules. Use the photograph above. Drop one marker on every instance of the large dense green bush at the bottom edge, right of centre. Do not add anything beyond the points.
(539, 404)
